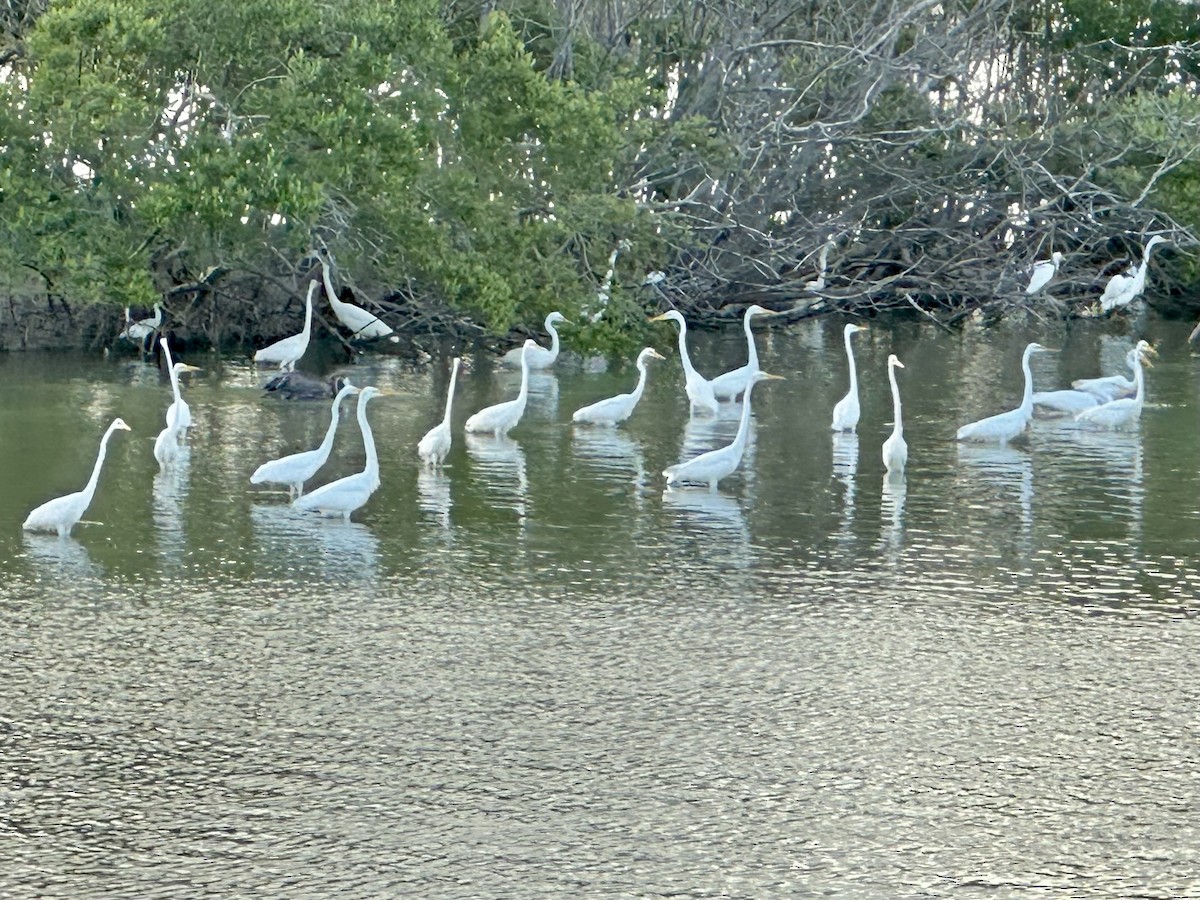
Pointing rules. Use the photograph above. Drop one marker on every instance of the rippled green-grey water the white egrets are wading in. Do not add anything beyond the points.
(539, 675)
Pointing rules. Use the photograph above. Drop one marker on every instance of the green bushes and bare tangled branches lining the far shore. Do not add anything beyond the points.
(473, 169)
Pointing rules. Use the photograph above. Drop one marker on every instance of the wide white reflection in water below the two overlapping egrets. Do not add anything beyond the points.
(333, 549)
